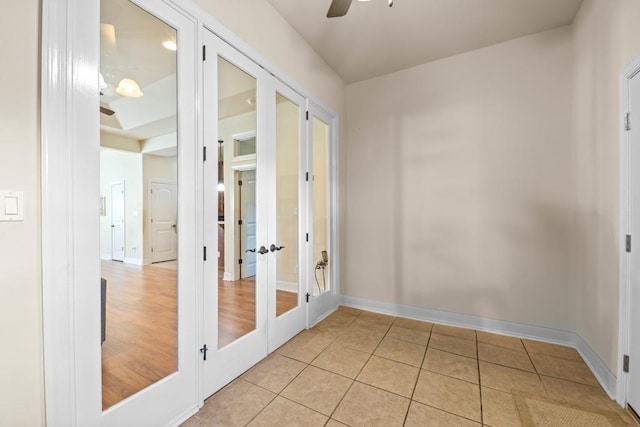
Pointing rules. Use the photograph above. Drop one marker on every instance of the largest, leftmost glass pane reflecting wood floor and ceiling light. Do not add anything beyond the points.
(138, 193)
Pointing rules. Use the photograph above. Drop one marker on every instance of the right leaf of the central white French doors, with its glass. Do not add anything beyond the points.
(287, 310)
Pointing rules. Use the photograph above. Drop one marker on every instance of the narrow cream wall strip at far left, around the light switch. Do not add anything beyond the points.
(21, 361)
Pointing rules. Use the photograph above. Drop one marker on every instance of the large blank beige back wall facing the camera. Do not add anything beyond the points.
(459, 184)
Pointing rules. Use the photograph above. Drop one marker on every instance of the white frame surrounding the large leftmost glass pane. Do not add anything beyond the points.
(70, 156)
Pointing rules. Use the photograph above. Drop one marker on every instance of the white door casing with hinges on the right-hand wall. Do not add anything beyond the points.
(624, 292)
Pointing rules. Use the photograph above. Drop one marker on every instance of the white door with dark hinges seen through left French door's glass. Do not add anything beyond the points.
(247, 222)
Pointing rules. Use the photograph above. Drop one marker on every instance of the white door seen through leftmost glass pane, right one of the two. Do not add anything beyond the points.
(162, 209)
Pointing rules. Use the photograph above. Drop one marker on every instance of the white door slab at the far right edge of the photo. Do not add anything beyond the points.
(633, 381)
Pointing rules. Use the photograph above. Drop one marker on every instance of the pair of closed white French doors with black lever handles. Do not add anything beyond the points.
(246, 318)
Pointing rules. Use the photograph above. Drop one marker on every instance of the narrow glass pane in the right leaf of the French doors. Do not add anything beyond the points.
(287, 183)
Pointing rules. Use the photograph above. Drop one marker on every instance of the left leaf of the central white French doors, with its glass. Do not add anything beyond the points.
(234, 312)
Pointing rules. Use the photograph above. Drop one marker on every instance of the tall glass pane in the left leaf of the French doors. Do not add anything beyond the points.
(237, 224)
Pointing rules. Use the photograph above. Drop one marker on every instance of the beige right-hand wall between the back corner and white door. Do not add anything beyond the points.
(606, 38)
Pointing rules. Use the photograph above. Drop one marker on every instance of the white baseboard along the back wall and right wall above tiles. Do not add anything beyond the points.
(519, 330)
